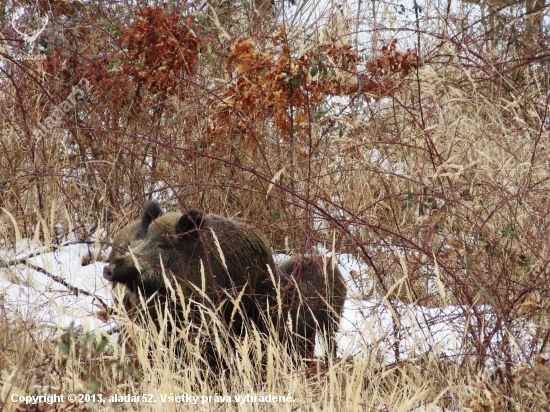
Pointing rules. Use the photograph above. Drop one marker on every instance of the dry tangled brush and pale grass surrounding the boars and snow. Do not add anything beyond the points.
(413, 137)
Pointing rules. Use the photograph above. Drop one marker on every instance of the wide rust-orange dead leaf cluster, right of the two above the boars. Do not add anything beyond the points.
(273, 82)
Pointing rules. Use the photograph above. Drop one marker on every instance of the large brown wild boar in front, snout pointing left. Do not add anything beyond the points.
(184, 242)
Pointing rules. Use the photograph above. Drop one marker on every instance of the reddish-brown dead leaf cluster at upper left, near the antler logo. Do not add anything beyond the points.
(156, 54)
